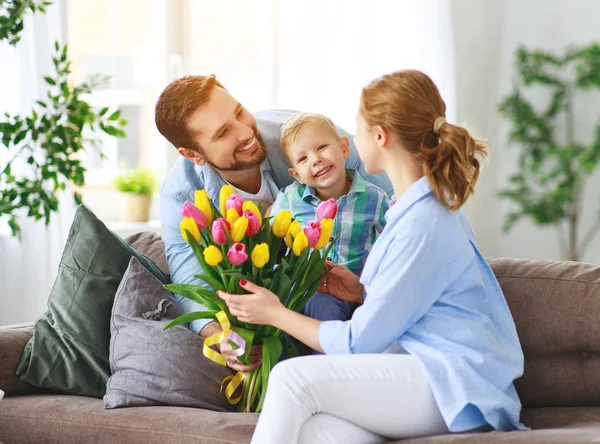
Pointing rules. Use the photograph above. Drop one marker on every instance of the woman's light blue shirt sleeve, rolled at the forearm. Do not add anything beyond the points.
(412, 275)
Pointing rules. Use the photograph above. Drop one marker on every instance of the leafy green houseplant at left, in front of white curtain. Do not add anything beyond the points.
(43, 150)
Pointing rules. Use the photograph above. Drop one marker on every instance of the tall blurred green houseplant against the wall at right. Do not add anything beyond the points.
(554, 165)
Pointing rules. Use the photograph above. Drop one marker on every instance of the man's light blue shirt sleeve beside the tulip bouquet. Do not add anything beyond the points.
(183, 264)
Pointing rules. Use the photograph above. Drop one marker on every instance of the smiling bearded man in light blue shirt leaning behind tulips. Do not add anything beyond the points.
(220, 142)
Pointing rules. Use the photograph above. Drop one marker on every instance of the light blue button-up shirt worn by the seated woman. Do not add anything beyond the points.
(428, 289)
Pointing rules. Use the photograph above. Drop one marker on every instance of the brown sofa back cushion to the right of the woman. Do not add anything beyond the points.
(556, 306)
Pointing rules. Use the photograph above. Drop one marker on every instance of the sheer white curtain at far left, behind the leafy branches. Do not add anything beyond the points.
(29, 266)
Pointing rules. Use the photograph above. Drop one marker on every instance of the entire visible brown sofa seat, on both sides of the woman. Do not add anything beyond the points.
(63, 419)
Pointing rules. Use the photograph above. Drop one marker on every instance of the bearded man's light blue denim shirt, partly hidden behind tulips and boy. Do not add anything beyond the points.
(185, 178)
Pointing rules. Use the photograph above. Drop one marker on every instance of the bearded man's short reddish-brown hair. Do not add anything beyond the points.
(180, 99)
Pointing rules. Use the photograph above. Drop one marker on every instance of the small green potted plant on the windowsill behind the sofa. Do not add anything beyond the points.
(136, 187)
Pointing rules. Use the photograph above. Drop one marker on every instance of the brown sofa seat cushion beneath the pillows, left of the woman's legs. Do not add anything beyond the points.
(65, 419)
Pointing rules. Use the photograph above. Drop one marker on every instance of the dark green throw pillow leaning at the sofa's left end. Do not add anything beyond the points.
(69, 349)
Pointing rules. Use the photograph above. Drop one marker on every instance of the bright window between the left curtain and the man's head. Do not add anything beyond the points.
(126, 40)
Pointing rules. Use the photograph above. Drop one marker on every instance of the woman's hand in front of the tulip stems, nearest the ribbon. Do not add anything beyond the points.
(261, 306)
